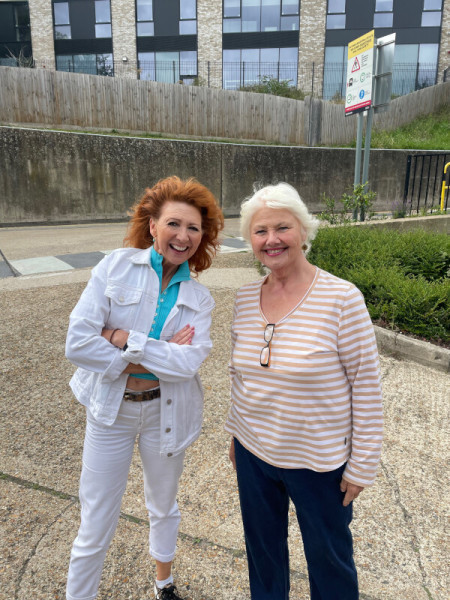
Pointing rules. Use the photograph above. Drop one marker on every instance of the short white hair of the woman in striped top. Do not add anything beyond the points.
(279, 196)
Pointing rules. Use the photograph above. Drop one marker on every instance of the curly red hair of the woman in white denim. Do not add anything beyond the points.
(191, 192)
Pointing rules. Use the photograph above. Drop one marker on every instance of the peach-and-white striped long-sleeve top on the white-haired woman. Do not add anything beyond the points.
(318, 404)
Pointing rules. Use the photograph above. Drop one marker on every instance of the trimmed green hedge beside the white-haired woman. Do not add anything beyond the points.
(405, 277)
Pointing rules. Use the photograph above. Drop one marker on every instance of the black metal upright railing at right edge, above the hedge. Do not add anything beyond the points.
(427, 183)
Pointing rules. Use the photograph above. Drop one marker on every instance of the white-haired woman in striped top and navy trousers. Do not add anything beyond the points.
(306, 414)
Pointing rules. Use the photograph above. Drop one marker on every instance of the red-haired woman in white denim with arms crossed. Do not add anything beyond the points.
(138, 335)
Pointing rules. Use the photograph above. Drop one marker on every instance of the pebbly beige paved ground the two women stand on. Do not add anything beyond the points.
(401, 543)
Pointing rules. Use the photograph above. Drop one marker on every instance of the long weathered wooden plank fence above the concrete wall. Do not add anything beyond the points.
(56, 98)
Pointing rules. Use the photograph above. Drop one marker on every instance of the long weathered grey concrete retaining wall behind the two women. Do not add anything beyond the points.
(50, 176)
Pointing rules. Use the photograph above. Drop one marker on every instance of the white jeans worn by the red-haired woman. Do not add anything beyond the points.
(107, 455)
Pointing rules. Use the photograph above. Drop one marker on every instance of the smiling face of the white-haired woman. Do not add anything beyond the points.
(277, 237)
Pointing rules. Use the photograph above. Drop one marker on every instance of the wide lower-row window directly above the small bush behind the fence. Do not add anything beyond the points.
(247, 66)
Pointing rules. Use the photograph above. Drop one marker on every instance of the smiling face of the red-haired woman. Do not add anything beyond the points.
(177, 232)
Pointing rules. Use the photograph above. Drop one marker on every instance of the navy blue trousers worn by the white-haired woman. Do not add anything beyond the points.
(264, 493)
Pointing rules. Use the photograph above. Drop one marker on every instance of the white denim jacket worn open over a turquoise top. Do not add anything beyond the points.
(122, 293)
